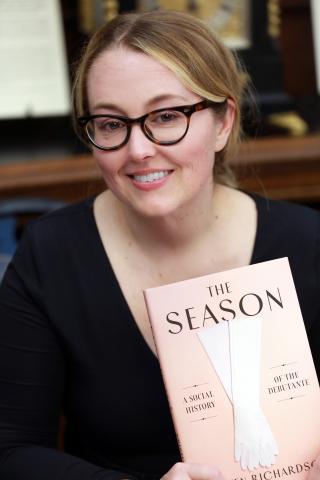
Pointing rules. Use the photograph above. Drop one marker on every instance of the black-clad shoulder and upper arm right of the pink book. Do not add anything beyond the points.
(290, 230)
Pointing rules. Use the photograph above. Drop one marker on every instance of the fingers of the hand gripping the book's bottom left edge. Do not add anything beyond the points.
(194, 471)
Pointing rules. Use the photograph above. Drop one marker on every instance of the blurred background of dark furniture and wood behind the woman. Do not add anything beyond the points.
(42, 163)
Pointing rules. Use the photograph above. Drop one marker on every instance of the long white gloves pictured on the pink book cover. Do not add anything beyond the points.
(234, 349)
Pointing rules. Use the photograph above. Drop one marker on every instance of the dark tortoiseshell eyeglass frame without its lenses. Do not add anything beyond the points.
(187, 110)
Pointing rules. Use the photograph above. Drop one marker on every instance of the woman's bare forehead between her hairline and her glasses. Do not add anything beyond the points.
(125, 76)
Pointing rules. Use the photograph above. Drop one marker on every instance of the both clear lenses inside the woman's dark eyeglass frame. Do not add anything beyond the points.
(164, 126)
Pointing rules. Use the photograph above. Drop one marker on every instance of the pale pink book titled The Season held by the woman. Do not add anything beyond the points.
(238, 371)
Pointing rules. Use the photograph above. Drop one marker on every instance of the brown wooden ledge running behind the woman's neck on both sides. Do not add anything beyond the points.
(283, 168)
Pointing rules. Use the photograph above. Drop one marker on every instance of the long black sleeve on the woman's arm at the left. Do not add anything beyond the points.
(32, 377)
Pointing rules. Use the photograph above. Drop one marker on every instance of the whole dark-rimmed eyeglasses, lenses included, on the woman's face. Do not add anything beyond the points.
(165, 126)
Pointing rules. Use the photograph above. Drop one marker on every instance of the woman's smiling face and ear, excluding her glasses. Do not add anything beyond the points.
(151, 179)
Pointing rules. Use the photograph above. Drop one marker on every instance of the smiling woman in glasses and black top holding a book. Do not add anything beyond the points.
(157, 97)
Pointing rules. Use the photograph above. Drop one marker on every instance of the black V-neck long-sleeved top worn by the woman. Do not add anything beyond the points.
(68, 343)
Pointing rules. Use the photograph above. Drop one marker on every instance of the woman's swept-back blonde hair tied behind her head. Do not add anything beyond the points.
(190, 49)
